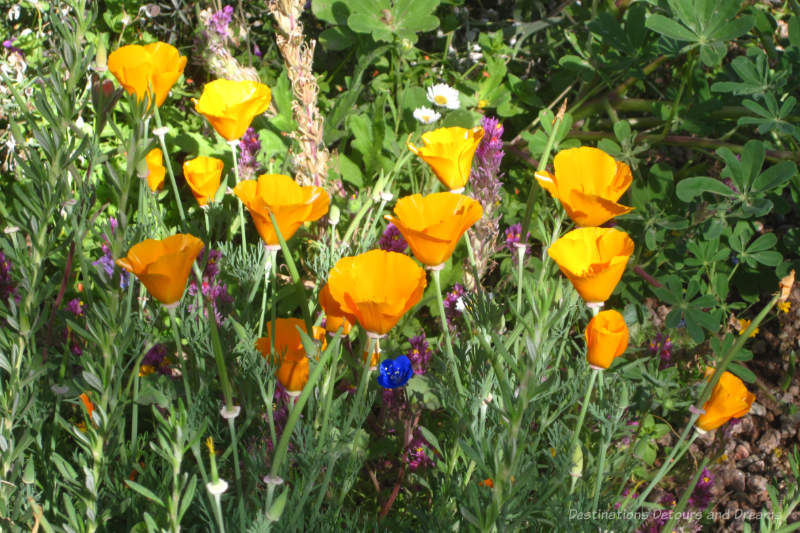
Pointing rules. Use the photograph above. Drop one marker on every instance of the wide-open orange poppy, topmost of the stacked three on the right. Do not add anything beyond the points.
(588, 182)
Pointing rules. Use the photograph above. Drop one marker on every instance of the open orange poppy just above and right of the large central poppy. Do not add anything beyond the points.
(433, 224)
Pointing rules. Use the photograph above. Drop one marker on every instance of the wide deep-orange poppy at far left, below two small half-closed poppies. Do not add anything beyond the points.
(163, 266)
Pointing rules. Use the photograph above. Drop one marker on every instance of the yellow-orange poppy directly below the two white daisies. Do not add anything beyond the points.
(449, 153)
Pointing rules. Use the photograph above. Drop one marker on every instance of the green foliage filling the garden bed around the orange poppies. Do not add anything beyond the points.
(697, 97)
